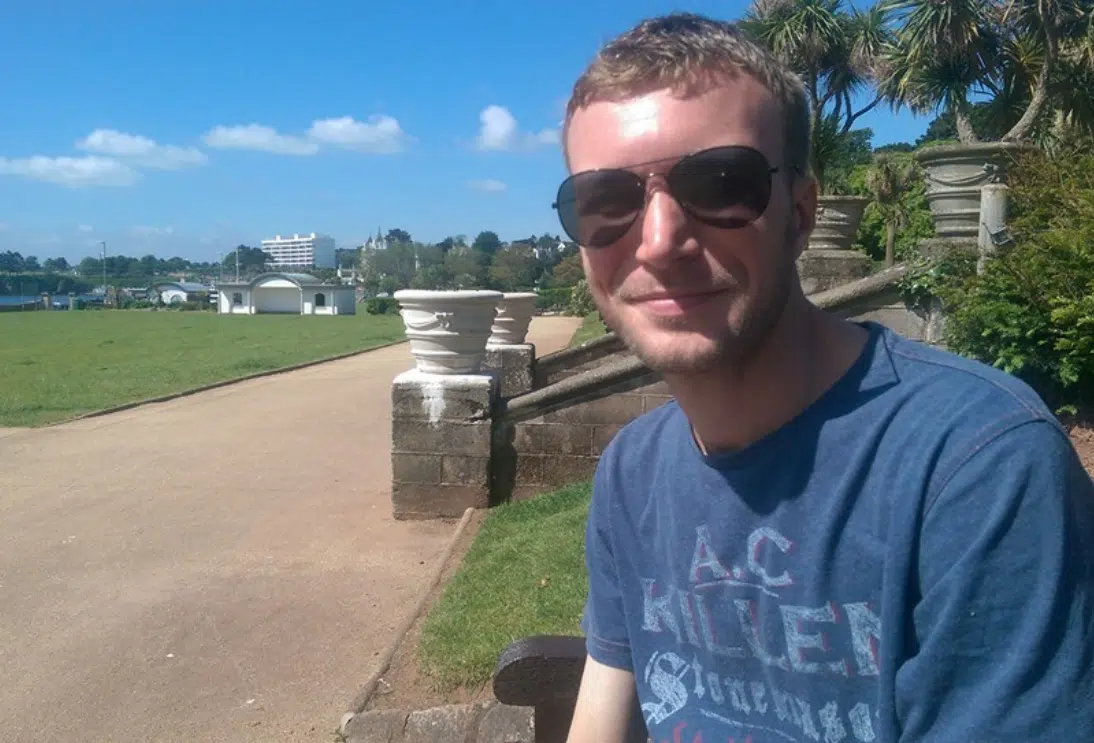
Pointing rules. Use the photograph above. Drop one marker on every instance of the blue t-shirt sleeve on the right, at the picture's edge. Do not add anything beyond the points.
(1005, 624)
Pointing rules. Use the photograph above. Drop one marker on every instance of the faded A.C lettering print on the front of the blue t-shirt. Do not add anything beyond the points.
(734, 649)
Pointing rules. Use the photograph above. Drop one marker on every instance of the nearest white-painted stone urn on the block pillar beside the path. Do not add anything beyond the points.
(448, 330)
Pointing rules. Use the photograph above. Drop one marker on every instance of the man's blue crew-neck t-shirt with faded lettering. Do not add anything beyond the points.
(912, 559)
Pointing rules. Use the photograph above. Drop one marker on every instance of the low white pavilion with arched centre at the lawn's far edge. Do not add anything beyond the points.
(285, 294)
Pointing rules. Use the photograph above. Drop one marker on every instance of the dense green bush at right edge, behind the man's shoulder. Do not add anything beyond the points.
(1031, 312)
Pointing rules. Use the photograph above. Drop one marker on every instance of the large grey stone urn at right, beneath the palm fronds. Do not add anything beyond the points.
(955, 176)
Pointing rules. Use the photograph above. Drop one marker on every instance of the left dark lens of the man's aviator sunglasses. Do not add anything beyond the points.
(597, 208)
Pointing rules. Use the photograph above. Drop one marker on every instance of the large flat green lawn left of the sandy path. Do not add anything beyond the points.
(60, 365)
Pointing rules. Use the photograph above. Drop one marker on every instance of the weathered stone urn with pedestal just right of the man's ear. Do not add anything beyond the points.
(829, 260)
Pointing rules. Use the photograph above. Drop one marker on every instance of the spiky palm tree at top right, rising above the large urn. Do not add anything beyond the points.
(1017, 54)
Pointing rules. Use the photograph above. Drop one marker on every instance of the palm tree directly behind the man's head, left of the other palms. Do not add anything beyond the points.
(835, 50)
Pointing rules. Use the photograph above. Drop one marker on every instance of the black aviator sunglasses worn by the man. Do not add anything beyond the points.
(728, 188)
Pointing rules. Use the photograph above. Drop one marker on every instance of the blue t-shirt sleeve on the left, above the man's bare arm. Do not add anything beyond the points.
(604, 624)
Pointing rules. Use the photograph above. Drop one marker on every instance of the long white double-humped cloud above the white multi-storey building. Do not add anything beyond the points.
(378, 135)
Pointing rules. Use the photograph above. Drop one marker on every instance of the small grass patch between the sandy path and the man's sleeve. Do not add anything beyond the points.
(525, 575)
